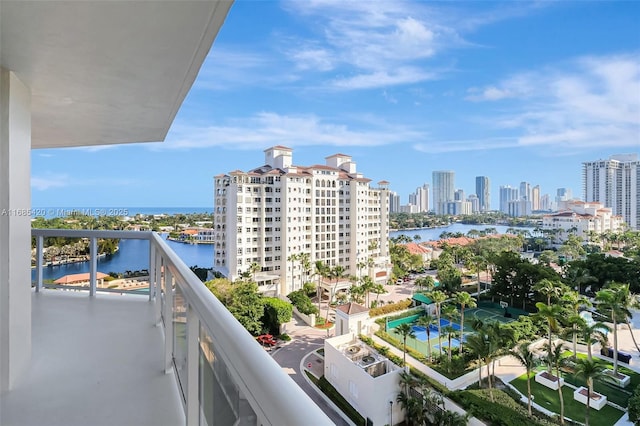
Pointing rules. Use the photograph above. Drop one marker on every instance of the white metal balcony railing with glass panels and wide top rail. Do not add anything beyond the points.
(225, 377)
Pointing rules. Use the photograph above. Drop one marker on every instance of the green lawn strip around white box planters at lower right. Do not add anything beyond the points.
(549, 399)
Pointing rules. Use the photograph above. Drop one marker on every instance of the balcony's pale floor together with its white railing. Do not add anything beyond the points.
(173, 356)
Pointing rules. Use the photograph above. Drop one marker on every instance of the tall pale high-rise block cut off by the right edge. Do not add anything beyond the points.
(616, 184)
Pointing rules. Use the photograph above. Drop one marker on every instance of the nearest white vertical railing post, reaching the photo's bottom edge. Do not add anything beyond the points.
(193, 367)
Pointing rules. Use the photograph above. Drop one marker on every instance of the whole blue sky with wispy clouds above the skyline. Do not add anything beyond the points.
(517, 91)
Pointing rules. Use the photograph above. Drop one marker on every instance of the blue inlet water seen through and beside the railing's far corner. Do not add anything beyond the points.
(134, 256)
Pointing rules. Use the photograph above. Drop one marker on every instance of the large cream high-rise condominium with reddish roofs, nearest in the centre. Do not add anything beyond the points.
(282, 219)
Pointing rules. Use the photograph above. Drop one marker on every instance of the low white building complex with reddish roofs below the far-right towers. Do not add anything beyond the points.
(582, 219)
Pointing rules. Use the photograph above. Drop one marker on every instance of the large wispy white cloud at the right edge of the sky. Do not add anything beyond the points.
(586, 102)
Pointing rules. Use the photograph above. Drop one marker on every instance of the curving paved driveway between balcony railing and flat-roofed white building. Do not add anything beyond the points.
(304, 340)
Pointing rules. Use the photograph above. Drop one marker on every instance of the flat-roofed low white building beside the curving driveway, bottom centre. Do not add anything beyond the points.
(366, 379)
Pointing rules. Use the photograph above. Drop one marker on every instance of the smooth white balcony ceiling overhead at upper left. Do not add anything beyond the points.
(104, 71)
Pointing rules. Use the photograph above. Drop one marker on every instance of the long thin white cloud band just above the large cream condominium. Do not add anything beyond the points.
(267, 129)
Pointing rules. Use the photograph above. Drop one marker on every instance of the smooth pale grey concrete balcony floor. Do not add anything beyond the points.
(96, 361)
